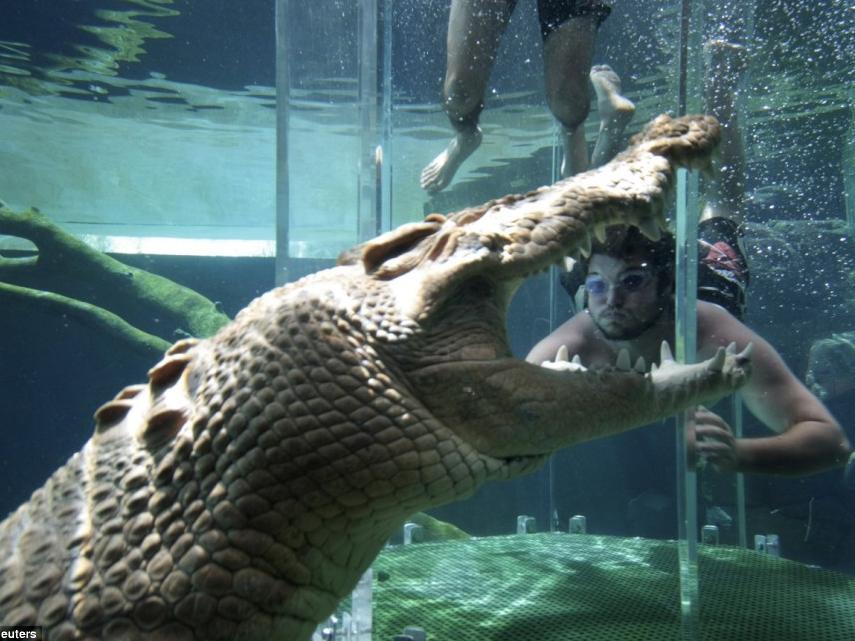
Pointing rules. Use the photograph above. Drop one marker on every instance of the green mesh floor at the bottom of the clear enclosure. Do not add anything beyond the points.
(547, 587)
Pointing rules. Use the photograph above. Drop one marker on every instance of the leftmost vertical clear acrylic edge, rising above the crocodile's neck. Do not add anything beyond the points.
(282, 171)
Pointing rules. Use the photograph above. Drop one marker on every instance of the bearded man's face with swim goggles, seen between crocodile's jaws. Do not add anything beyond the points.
(622, 297)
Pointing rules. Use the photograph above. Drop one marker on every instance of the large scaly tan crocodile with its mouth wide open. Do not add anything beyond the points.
(242, 491)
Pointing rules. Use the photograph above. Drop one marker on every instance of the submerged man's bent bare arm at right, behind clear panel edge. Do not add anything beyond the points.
(808, 438)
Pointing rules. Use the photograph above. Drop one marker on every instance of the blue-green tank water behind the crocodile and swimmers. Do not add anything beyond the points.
(148, 130)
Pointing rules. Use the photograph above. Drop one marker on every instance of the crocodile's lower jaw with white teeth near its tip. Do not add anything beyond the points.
(511, 410)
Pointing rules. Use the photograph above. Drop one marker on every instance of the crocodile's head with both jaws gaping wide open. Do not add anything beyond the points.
(441, 287)
